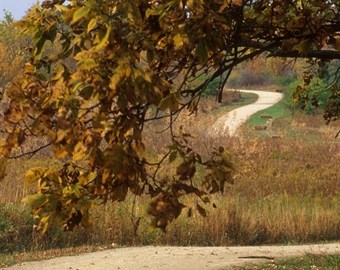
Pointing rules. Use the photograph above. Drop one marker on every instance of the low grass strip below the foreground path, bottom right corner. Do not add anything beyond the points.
(300, 263)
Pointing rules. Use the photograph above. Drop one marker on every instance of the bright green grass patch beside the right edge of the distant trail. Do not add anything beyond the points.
(279, 110)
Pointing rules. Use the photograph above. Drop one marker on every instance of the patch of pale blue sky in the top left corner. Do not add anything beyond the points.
(18, 8)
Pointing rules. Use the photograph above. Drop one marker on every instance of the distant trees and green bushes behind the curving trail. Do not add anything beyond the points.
(307, 85)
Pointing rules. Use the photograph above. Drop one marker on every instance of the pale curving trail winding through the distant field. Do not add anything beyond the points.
(235, 118)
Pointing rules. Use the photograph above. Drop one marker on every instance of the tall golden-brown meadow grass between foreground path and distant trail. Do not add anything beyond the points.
(286, 190)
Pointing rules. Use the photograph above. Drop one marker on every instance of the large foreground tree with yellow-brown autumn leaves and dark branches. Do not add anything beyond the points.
(113, 60)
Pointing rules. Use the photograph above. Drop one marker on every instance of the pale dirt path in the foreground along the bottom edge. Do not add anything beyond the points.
(176, 258)
